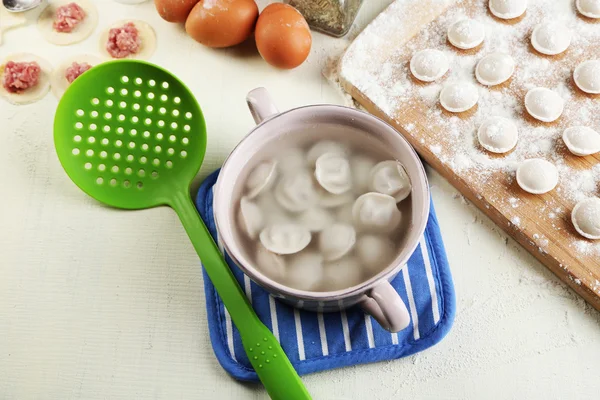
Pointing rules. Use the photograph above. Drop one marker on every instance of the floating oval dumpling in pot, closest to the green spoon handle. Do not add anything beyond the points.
(285, 238)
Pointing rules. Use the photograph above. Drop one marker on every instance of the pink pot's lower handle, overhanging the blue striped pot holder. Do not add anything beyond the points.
(385, 305)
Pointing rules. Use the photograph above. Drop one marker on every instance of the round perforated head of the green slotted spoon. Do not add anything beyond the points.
(130, 134)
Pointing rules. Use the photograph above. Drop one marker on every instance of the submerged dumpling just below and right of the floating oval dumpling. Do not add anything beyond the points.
(305, 271)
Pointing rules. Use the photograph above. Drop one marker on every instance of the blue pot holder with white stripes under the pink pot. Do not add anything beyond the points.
(321, 341)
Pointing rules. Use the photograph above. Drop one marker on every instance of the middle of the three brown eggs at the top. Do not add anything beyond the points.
(222, 23)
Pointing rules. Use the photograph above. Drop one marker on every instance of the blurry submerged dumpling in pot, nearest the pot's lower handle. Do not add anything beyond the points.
(375, 252)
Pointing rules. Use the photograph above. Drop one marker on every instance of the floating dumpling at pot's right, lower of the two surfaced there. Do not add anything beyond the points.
(376, 212)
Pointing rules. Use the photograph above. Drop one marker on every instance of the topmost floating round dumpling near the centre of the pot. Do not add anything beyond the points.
(332, 171)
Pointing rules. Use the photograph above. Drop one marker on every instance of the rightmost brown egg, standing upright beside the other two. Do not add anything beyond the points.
(282, 36)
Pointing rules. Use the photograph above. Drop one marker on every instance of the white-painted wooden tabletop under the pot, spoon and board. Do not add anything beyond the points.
(97, 303)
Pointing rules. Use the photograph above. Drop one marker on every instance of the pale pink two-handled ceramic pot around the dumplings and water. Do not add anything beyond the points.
(376, 296)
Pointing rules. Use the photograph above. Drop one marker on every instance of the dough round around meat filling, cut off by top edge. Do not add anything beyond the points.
(81, 32)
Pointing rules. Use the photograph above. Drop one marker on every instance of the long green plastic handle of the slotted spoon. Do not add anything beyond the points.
(264, 352)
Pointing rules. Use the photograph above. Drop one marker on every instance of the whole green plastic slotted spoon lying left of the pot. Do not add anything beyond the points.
(131, 135)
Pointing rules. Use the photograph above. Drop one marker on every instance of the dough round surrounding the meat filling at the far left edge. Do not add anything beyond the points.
(35, 93)
